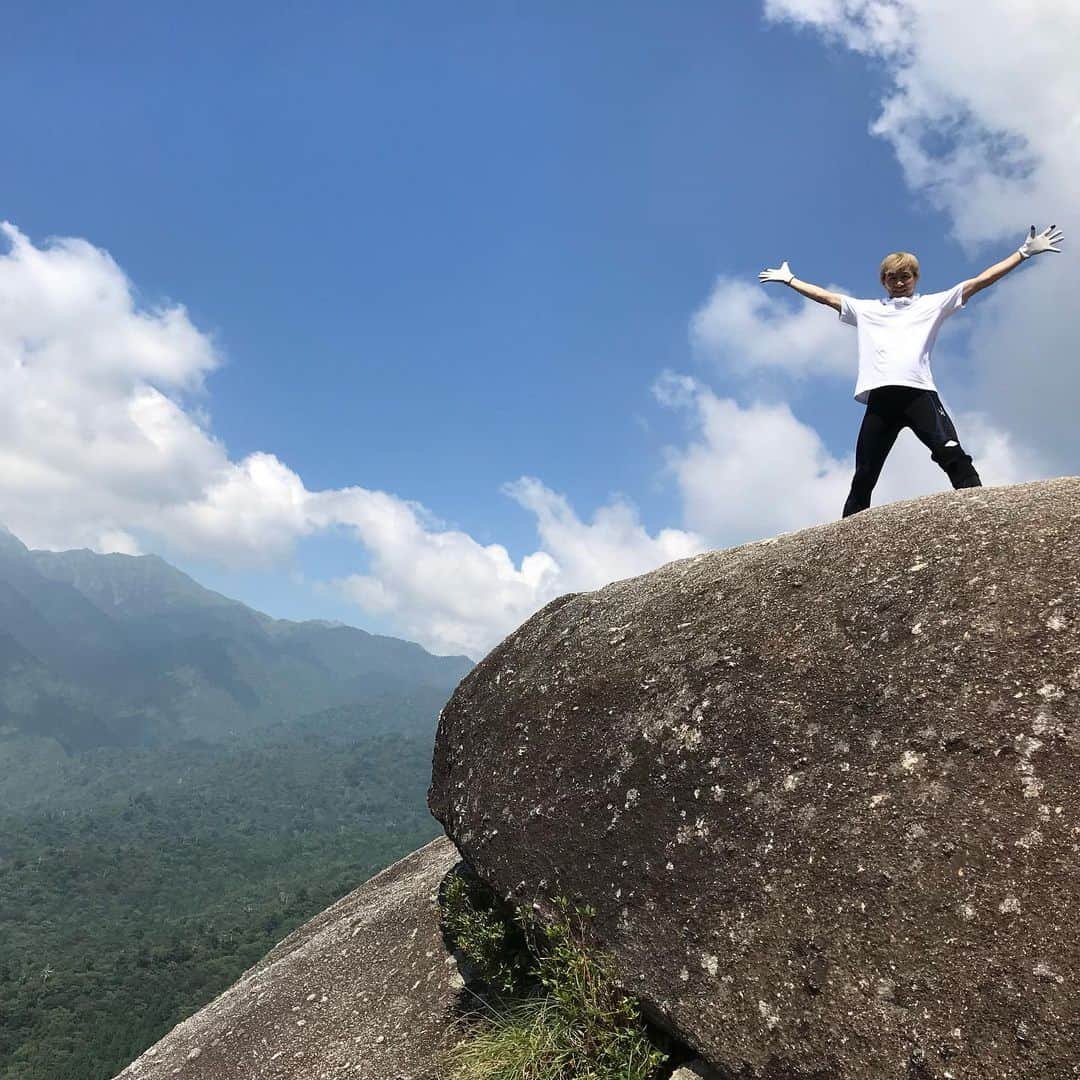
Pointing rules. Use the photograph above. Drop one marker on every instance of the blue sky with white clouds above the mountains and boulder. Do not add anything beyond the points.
(426, 251)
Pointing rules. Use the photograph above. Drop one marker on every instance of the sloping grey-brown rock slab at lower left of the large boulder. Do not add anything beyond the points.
(366, 991)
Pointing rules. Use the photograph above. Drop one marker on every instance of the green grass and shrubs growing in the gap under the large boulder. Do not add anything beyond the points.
(559, 1015)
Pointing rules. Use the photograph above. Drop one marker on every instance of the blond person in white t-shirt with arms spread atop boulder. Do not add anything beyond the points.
(896, 340)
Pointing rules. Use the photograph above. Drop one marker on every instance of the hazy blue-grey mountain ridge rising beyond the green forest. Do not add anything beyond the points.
(100, 651)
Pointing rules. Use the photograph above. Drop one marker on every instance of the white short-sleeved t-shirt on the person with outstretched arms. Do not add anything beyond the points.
(897, 337)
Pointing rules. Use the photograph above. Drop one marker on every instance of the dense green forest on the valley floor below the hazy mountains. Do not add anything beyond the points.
(124, 913)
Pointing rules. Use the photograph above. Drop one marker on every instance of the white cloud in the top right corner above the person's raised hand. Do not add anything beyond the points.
(962, 128)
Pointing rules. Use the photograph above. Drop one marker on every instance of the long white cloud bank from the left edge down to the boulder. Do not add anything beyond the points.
(103, 444)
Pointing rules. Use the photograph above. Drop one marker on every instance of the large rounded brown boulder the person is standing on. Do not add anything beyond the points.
(823, 791)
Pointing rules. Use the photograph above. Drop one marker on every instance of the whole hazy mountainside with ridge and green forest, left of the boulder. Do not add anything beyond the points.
(183, 781)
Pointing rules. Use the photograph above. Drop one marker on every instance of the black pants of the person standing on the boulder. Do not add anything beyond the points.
(889, 410)
